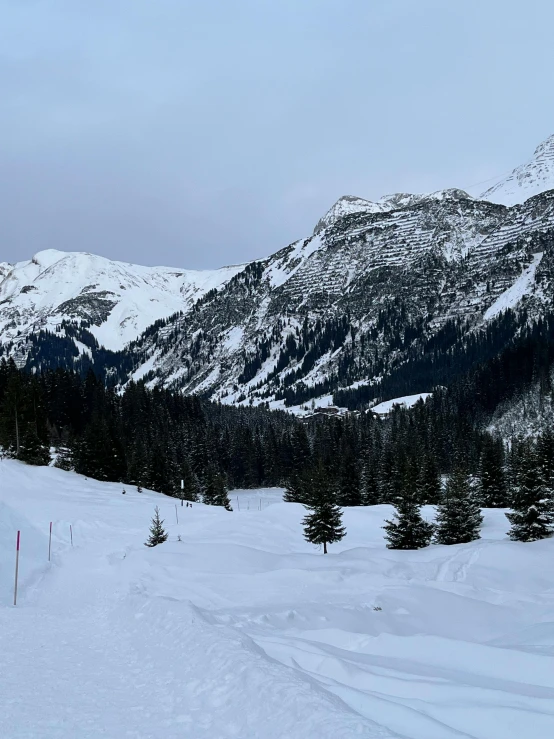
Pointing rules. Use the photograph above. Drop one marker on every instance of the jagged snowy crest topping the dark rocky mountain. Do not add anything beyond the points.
(348, 204)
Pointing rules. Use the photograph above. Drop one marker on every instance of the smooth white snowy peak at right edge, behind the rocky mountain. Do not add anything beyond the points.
(529, 179)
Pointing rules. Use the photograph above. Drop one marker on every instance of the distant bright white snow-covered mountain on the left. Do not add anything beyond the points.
(120, 300)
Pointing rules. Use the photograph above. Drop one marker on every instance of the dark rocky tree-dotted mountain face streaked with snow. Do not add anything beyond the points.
(360, 297)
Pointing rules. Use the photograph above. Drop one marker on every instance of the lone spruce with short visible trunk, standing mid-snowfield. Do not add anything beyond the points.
(324, 524)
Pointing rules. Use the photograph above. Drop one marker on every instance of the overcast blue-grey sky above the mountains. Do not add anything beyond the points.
(208, 132)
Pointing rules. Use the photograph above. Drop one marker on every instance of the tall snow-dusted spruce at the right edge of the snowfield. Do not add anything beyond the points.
(532, 514)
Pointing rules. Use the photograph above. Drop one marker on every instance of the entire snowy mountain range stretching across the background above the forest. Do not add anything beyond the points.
(375, 289)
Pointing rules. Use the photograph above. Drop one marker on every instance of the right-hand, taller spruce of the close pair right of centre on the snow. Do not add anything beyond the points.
(459, 517)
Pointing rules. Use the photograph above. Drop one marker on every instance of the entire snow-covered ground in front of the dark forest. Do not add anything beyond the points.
(242, 629)
